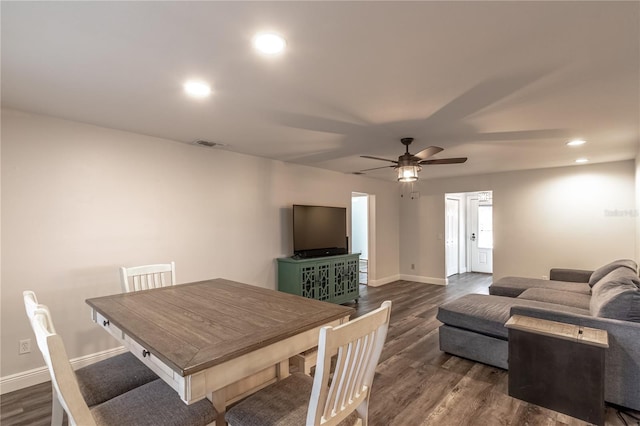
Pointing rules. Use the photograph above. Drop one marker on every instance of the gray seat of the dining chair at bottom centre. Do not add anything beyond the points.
(284, 403)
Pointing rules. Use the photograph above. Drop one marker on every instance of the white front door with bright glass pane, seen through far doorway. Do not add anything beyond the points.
(481, 236)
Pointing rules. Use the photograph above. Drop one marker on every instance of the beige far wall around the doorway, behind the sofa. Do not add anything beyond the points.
(579, 217)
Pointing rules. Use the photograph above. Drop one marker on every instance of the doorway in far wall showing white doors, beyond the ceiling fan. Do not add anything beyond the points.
(468, 233)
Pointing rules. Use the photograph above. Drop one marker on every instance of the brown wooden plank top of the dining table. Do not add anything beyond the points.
(194, 326)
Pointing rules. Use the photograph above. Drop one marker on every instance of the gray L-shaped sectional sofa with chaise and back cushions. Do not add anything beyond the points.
(607, 298)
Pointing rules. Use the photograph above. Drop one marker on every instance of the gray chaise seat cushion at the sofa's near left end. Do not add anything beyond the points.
(487, 314)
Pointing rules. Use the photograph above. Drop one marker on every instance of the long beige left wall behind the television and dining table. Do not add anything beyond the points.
(78, 201)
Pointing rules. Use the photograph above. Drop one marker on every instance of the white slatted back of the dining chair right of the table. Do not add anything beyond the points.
(358, 345)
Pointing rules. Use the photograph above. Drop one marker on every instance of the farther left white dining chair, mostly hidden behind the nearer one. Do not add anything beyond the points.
(100, 381)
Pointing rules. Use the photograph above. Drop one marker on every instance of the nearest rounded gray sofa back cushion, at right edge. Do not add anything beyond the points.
(617, 296)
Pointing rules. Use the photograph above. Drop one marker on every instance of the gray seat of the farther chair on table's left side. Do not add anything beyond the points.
(111, 377)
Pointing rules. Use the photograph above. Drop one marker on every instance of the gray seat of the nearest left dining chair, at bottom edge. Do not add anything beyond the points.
(152, 404)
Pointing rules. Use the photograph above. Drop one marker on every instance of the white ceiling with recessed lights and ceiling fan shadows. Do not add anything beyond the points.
(505, 84)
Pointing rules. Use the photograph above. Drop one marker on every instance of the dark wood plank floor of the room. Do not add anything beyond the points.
(415, 383)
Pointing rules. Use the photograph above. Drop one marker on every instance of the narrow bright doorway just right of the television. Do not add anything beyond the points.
(360, 232)
